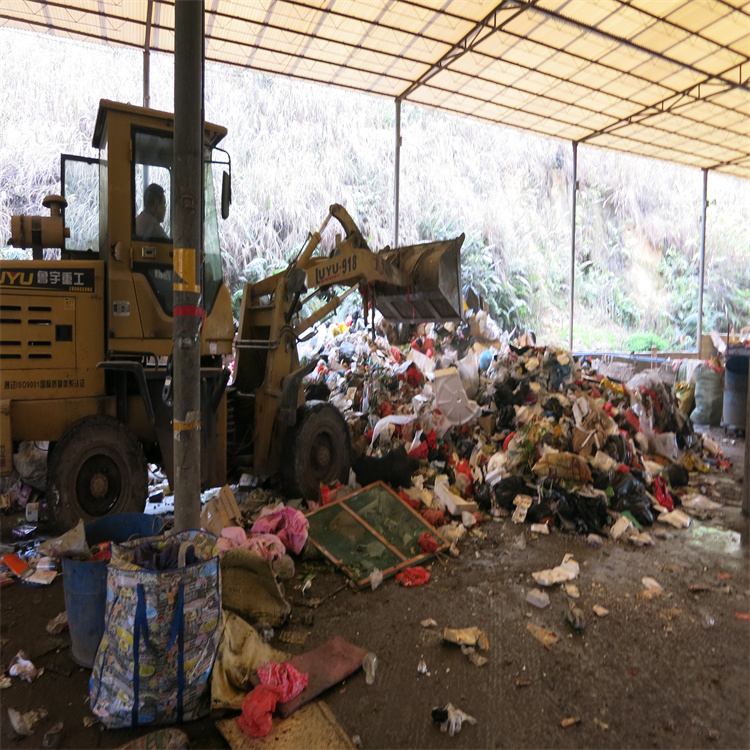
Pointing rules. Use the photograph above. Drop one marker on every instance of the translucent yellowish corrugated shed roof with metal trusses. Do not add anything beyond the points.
(669, 79)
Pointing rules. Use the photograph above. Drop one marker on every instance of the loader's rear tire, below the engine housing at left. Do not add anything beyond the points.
(96, 468)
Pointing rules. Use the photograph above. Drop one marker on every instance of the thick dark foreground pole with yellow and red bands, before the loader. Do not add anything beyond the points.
(188, 251)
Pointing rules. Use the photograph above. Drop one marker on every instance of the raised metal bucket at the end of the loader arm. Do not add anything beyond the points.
(435, 292)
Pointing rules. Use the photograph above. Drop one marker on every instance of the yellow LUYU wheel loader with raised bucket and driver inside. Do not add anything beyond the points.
(86, 334)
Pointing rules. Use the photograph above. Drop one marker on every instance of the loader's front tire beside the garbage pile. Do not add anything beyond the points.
(317, 450)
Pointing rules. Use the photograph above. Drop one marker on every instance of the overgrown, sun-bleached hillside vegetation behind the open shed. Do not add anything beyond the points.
(296, 148)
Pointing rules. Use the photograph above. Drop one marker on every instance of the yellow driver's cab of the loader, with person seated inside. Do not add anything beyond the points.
(136, 229)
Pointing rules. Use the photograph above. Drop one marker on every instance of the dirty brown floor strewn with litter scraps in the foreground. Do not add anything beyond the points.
(670, 671)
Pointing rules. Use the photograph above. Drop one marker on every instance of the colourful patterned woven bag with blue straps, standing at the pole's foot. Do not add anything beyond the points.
(161, 636)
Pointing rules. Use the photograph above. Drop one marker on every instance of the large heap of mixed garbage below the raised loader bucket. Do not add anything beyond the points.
(464, 419)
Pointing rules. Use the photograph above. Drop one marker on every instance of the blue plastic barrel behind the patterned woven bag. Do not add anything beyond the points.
(85, 583)
